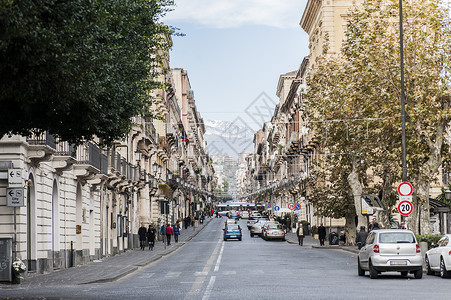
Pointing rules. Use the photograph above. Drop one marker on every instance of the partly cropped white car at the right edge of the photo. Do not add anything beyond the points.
(438, 259)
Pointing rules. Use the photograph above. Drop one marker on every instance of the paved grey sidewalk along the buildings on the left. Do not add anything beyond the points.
(110, 268)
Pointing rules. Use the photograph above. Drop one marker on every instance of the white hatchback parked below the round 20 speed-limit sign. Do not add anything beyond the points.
(390, 250)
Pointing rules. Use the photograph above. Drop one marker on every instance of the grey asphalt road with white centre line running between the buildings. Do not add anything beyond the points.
(209, 268)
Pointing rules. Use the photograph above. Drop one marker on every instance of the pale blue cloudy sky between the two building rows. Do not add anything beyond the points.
(234, 52)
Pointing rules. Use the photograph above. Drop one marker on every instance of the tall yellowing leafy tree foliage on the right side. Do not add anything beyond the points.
(359, 90)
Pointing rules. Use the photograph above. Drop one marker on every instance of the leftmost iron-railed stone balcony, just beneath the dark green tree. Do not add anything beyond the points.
(41, 147)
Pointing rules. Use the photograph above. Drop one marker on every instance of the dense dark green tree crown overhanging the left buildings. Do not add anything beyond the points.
(78, 68)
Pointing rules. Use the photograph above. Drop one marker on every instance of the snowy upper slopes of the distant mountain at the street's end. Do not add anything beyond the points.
(228, 138)
